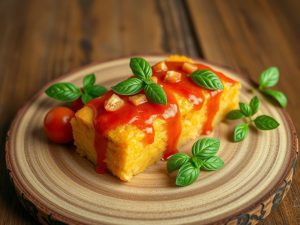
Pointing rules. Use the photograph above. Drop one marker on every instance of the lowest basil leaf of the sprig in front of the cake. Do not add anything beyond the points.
(187, 175)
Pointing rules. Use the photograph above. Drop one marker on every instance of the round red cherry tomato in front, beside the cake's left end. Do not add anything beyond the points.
(57, 125)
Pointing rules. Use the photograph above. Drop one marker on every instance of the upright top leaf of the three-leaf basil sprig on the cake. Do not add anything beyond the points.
(141, 68)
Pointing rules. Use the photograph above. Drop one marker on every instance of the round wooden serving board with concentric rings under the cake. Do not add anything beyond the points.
(58, 186)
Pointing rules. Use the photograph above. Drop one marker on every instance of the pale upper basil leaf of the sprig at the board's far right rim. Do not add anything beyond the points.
(269, 77)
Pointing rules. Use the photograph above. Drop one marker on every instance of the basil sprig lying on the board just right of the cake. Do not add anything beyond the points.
(247, 111)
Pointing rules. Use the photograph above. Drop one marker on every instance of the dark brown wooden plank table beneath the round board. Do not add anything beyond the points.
(43, 39)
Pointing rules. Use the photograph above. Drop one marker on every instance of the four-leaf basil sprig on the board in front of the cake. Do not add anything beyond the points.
(203, 157)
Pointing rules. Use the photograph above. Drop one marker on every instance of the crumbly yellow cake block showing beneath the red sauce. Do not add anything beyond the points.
(127, 153)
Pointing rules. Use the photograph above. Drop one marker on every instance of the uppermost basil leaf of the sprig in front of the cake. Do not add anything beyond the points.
(206, 147)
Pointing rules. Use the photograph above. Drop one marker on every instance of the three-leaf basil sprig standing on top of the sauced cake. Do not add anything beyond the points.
(141, 81)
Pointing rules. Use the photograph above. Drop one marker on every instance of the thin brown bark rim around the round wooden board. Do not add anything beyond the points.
(22, 191)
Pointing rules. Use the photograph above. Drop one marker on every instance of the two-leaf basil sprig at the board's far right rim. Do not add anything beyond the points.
(268, 79)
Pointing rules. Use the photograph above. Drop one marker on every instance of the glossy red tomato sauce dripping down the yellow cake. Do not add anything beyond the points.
(143, 115)
